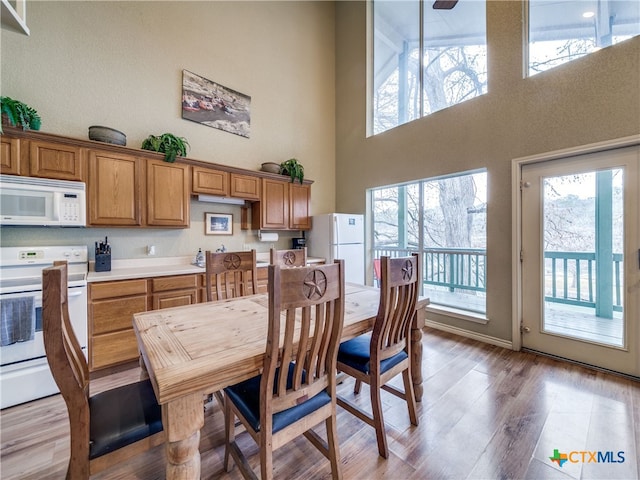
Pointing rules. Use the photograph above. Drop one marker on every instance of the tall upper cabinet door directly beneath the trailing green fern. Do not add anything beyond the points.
(168, 192)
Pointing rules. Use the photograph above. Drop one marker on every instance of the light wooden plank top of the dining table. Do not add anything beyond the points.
(208, 346)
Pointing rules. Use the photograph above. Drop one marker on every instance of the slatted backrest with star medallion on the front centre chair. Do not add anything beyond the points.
(312, 300)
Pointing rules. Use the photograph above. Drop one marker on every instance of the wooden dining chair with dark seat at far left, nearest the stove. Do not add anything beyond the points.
(106, 428)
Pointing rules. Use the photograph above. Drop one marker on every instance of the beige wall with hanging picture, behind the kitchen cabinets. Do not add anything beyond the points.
(120, 64)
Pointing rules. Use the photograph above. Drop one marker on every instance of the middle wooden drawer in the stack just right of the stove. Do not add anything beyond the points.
(116, 314)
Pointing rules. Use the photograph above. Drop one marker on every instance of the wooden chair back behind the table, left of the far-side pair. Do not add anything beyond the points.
(230, 274)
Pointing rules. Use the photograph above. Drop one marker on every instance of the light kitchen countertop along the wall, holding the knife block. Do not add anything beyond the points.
(126, 269)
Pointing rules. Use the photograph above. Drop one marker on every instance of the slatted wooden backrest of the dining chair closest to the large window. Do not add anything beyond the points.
(399, 288)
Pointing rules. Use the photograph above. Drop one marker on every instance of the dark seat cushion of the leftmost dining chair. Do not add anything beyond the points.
(122, 416)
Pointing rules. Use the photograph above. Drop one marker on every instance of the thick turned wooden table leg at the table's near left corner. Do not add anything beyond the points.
(182, 419)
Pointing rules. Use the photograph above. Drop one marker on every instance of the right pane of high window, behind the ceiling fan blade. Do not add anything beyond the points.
(455, 54)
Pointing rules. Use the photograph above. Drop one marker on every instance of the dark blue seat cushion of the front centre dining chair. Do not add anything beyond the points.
(246, 396)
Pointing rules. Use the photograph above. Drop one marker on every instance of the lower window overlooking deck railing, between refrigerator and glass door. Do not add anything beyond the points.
(445, 219)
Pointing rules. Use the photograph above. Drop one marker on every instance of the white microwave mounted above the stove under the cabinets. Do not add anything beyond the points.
(42, 202)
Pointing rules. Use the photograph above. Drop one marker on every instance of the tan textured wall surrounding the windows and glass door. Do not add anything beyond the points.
(589, 100)
